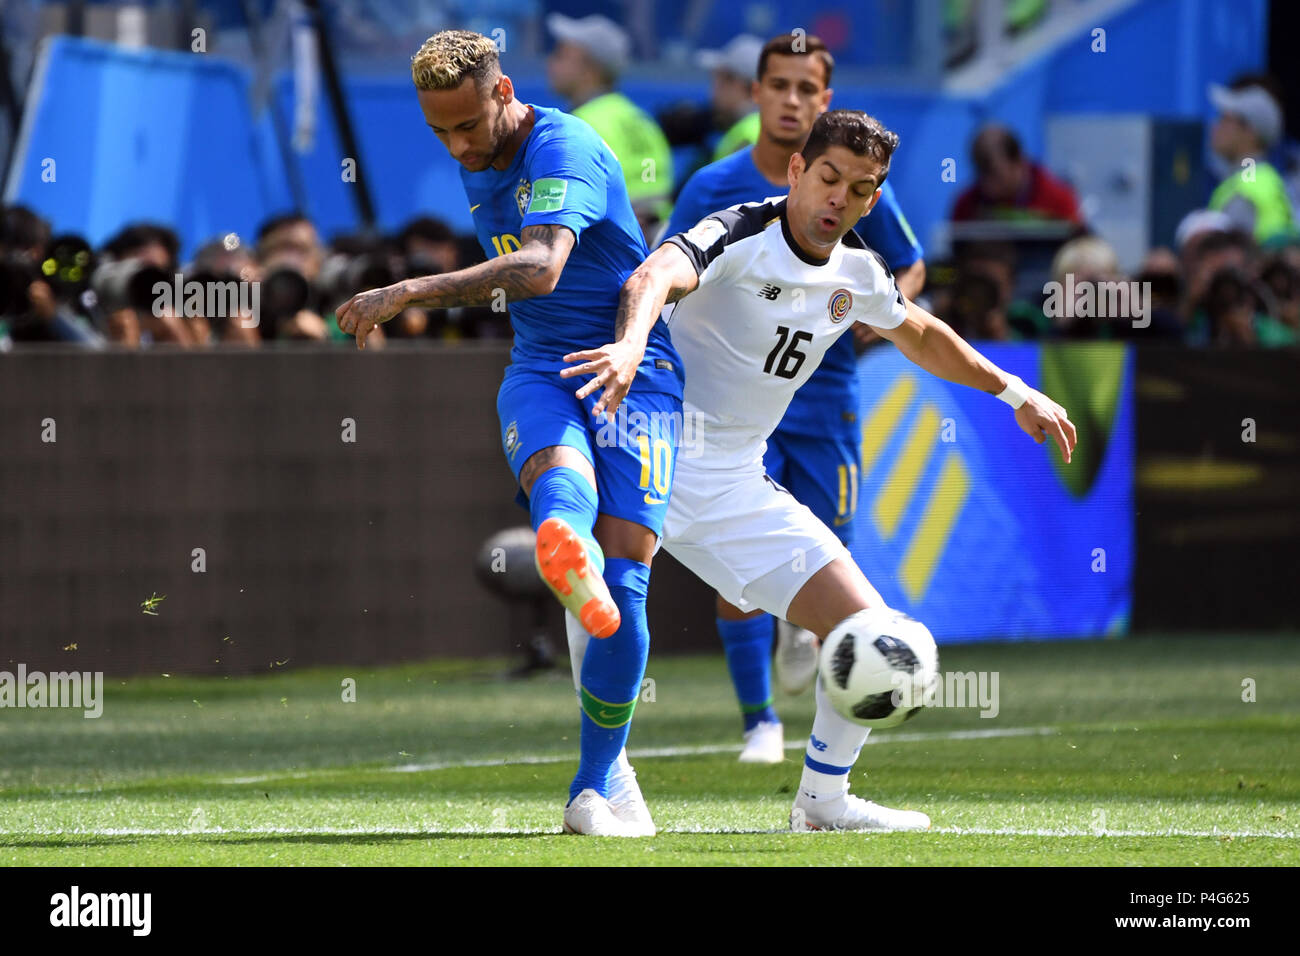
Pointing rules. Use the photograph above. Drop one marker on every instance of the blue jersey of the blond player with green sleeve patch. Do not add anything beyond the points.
(564, 174)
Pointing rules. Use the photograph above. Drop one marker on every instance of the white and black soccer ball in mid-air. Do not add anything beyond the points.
(879, 668)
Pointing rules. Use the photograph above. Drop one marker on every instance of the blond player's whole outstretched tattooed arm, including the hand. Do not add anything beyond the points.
(531, 271)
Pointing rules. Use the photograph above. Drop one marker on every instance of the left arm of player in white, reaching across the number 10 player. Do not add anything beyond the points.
(665, 276)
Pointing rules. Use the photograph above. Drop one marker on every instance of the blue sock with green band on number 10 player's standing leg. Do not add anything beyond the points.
(612, 677)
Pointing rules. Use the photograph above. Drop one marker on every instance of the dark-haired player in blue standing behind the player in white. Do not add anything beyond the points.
(817, 449)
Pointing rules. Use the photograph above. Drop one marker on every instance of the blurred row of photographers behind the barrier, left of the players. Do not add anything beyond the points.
(281, 287)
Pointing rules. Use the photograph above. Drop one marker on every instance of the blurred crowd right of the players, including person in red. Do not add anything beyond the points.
(1232, 278)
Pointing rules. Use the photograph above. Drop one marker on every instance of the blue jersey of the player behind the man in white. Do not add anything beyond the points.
(827, 405)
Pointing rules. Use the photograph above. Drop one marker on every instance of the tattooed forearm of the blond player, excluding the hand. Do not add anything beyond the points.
(521, 275)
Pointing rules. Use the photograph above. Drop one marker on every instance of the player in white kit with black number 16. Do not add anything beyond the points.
(762, 291)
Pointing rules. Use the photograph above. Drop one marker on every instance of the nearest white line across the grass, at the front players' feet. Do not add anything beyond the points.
(457, 832)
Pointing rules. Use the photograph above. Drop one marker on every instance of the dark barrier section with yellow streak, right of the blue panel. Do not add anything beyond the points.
(1219, 490)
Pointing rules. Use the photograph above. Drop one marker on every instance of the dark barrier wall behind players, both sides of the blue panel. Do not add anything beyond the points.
(320, 551)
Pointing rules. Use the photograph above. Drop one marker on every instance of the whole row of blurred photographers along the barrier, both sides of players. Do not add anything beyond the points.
(1217, 287)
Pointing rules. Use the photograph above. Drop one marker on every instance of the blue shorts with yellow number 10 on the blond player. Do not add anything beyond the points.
(634, 457)
